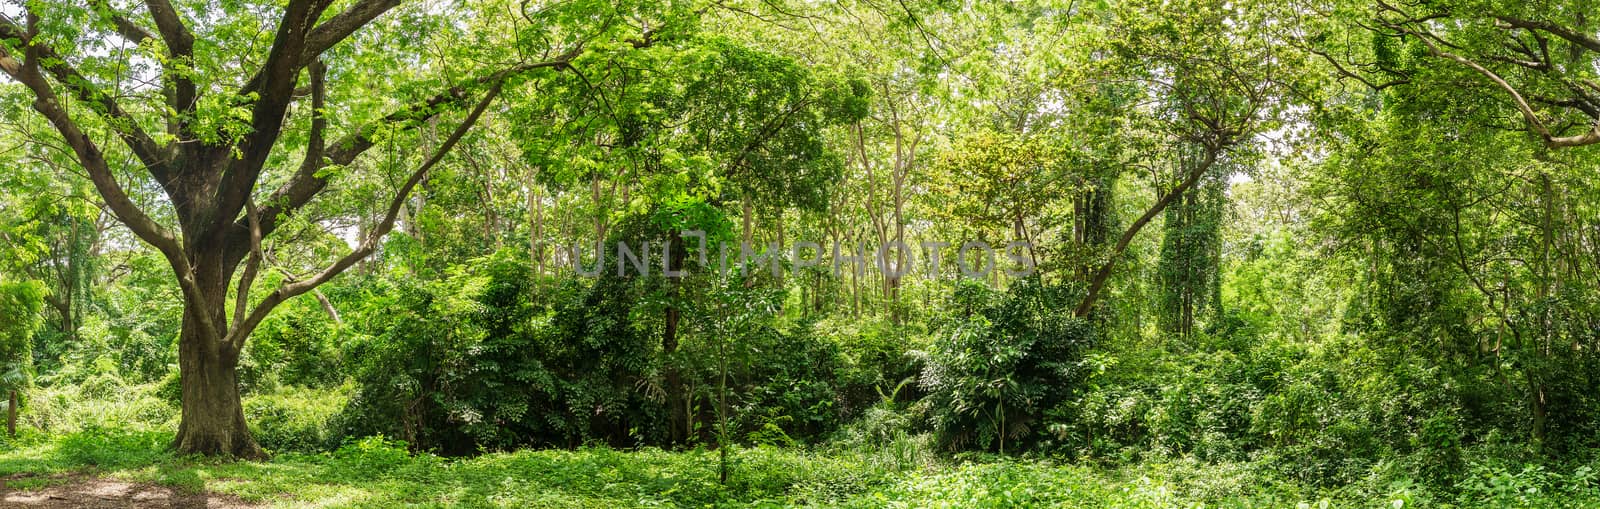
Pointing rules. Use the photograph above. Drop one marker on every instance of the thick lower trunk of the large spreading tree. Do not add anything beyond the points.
(214, 419)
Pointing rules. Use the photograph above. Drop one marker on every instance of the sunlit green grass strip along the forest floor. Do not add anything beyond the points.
(382, 475)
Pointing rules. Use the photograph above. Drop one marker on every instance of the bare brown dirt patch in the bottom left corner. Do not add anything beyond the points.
(106, 494)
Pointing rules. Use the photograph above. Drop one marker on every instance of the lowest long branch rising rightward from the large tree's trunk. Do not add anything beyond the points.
(238, 335)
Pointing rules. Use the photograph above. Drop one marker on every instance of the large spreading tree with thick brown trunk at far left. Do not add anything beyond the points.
(241, 114)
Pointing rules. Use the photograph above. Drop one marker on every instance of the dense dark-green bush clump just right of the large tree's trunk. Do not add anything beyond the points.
(471, 364)
